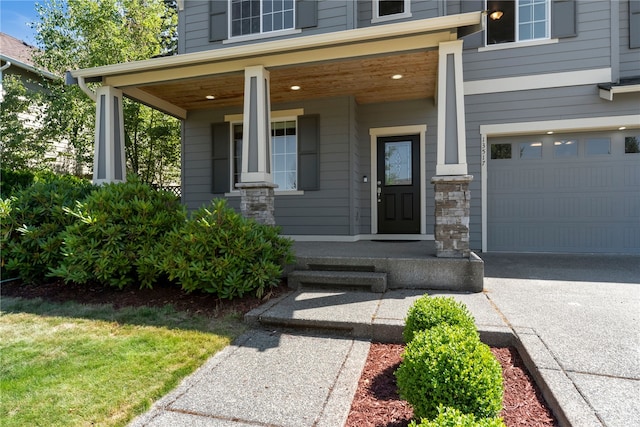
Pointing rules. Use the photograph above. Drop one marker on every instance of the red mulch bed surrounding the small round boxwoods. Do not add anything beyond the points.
(377, 404)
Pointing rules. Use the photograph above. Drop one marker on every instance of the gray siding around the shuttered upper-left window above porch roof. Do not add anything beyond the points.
(333, 15)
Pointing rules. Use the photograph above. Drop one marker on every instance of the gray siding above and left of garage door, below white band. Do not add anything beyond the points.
(530, 106)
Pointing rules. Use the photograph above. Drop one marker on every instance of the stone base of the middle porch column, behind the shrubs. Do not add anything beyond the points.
(257, 201)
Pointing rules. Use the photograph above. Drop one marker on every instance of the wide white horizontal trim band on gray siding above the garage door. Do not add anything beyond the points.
(537, 81)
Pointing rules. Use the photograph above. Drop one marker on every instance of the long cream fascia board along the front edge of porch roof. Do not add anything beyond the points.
(359, 35)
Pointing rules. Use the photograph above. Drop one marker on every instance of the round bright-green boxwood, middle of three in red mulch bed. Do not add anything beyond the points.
(448, 365)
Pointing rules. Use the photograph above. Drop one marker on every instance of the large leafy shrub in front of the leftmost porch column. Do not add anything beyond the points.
(116, 234)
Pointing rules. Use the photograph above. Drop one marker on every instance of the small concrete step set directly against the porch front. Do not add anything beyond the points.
(356, 280)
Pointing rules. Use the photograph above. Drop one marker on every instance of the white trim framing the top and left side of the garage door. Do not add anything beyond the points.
(541, 127)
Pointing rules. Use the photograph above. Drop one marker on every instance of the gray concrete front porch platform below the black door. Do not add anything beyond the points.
(404, 264)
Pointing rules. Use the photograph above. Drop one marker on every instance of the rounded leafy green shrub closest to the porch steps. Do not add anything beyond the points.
(218, 251)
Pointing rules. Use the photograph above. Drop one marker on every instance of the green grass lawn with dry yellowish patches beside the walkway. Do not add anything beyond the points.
(77, 365)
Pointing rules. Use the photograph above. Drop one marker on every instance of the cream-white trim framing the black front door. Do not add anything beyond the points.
(398, 131)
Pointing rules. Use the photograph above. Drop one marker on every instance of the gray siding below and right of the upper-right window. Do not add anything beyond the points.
(591, 49)
